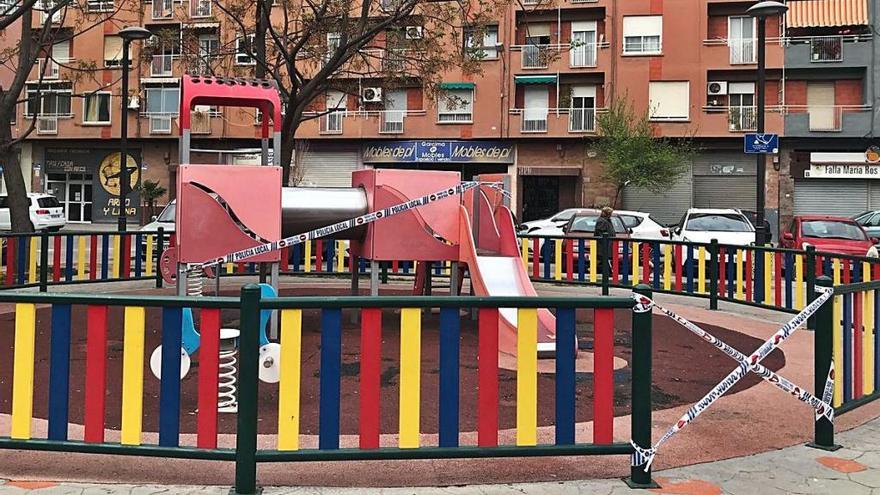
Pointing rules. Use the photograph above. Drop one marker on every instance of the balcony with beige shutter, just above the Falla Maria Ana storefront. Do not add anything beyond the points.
(813, 120)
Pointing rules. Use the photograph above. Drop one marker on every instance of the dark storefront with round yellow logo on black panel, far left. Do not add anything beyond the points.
(86, 182)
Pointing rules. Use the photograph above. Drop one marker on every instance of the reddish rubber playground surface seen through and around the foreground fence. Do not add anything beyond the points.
(756, 417)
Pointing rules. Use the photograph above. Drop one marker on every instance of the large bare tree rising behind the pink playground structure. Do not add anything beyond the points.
(310, 47)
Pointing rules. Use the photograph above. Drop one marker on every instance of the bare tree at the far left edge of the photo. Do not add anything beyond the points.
(25, 42)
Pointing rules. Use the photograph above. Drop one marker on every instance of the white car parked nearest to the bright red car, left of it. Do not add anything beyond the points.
(728, 226)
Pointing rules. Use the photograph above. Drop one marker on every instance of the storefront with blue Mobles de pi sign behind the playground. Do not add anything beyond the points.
(470, 158)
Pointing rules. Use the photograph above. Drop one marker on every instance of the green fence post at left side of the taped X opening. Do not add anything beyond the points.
(641, 391)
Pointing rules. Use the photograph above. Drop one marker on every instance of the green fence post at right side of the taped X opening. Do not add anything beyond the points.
(823, 342)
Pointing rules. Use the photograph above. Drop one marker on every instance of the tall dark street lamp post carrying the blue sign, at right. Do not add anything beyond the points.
(761, 11)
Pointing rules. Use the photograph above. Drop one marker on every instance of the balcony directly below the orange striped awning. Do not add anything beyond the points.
(809, 52)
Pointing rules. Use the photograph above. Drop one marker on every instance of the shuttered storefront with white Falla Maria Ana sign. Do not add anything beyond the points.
(843, 184)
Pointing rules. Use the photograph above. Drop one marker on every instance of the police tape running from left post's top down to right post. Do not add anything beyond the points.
(821, 407)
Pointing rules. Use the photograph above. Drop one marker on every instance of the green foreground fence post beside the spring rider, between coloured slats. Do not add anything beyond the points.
(246, 428)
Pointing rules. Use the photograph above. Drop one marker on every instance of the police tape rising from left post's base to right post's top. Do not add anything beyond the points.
(646, 455)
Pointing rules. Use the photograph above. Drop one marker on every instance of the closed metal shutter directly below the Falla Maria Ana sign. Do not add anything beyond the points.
(830, 197)
